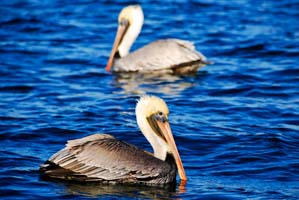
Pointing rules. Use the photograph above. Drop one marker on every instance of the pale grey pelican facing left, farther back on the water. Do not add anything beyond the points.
(168, 55)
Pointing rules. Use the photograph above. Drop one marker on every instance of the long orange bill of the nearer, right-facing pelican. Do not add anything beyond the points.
(167, 133)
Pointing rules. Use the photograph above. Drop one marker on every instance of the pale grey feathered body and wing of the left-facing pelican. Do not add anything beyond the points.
(165, 54)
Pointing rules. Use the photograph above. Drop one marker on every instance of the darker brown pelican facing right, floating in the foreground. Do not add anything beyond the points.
(103, 158)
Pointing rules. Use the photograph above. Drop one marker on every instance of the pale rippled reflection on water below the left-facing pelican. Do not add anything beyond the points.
(136, 83)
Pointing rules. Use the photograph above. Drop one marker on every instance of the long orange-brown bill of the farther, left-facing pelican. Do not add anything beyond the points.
(121, 30)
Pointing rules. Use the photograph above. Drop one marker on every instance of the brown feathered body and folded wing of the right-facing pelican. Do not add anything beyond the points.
(102, 157)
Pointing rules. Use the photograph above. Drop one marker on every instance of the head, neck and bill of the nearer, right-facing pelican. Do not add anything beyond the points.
(152, 118)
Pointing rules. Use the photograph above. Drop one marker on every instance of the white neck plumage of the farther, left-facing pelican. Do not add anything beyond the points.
(132, 33)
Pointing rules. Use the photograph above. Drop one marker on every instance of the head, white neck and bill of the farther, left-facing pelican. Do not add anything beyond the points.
(130, 21)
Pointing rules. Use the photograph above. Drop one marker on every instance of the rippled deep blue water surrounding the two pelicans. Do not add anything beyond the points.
(236, 122)
